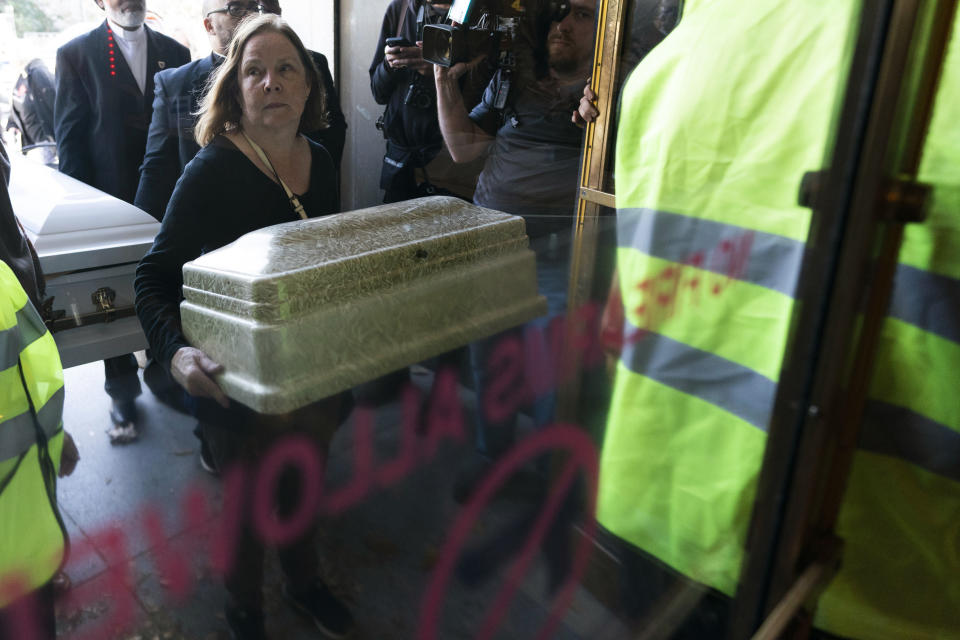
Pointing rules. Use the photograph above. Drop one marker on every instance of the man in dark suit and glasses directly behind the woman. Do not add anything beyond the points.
(170, 144)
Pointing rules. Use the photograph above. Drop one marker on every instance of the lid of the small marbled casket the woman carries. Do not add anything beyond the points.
(280, 271)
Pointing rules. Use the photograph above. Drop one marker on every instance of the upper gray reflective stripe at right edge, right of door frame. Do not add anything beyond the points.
(927, 300)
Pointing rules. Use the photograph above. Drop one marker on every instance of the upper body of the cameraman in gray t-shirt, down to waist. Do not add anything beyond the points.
(534, 147)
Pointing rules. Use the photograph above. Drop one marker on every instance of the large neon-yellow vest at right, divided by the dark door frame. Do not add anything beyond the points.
(718, 124)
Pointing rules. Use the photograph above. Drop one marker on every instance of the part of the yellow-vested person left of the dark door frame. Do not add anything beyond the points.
(717, 126)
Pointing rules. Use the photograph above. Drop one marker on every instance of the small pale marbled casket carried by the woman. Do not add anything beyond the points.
(299, 311)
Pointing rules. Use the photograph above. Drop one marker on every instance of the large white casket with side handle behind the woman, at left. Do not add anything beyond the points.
(89, 244)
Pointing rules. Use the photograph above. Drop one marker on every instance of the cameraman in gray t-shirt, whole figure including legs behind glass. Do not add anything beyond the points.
(531, 171)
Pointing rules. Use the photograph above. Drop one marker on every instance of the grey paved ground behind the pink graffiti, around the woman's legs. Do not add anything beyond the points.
(124, 507)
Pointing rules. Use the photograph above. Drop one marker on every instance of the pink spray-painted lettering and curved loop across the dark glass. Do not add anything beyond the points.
(522, 369)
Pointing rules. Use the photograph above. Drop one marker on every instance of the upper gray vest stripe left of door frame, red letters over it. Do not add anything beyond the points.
(771, 261)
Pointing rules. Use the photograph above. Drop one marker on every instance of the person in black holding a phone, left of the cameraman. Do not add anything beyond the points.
(399, 79)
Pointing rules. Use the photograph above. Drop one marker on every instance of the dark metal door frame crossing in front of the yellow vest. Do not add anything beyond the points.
(869, 192)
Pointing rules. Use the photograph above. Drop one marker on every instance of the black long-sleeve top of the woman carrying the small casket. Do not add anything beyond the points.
(221, 196)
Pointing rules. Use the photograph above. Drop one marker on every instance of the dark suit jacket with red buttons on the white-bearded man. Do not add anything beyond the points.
(100, 116)
